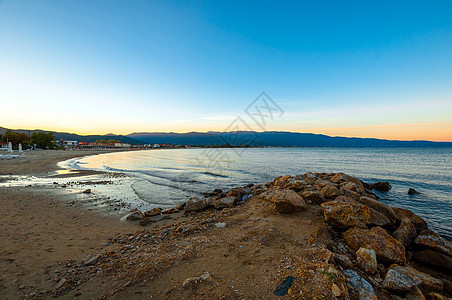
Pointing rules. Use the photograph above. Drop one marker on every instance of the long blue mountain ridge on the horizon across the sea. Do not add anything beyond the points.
(274, 139)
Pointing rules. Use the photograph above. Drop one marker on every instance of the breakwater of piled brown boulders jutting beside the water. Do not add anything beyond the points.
(371, 250)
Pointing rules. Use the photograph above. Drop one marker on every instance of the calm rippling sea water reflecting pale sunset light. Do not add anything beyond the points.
(167, 177)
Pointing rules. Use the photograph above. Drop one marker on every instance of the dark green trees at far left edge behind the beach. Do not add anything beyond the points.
(41, 139)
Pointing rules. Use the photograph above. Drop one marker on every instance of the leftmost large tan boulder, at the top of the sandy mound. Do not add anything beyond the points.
(283, 201)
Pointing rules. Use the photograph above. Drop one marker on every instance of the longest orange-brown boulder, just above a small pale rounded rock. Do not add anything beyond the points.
(385, 246)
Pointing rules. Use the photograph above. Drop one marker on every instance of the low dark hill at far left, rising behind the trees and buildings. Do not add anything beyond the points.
(80, 138)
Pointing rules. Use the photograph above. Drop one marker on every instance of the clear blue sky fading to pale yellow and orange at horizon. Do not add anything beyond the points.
(379, 69)
